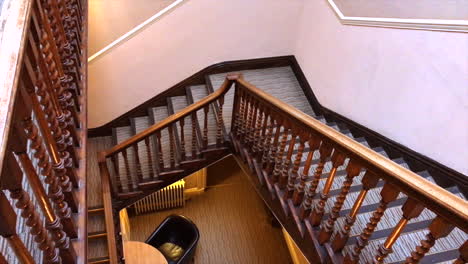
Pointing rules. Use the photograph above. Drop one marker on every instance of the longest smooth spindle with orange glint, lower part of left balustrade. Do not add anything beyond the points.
(53, 224)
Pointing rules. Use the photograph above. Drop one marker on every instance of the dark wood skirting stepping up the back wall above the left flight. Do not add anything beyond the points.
(179, 89)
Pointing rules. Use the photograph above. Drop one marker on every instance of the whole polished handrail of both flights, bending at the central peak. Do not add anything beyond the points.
(432, 196)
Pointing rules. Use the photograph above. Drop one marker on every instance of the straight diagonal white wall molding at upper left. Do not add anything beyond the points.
(135, 30)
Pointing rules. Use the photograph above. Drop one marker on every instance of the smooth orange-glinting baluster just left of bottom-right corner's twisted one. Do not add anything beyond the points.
(411, 209)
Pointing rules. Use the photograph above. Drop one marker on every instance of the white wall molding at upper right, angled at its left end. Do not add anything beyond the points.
(455, 25)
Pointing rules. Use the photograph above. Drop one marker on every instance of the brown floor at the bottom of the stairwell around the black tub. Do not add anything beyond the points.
(233, 222)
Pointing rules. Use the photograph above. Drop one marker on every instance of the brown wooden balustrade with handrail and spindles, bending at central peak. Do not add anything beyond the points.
(341, 199)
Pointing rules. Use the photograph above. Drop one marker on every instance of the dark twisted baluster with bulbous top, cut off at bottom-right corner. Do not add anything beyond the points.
(437, 229)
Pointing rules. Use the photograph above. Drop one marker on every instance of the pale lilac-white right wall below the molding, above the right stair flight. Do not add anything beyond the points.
(409, 85)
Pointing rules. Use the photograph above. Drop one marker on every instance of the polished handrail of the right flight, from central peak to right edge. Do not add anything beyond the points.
(441, 201)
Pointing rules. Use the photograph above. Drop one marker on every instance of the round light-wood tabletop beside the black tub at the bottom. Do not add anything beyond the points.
(136, 252)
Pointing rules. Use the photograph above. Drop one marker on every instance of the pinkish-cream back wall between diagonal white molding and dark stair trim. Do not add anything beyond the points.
(197, 34)
